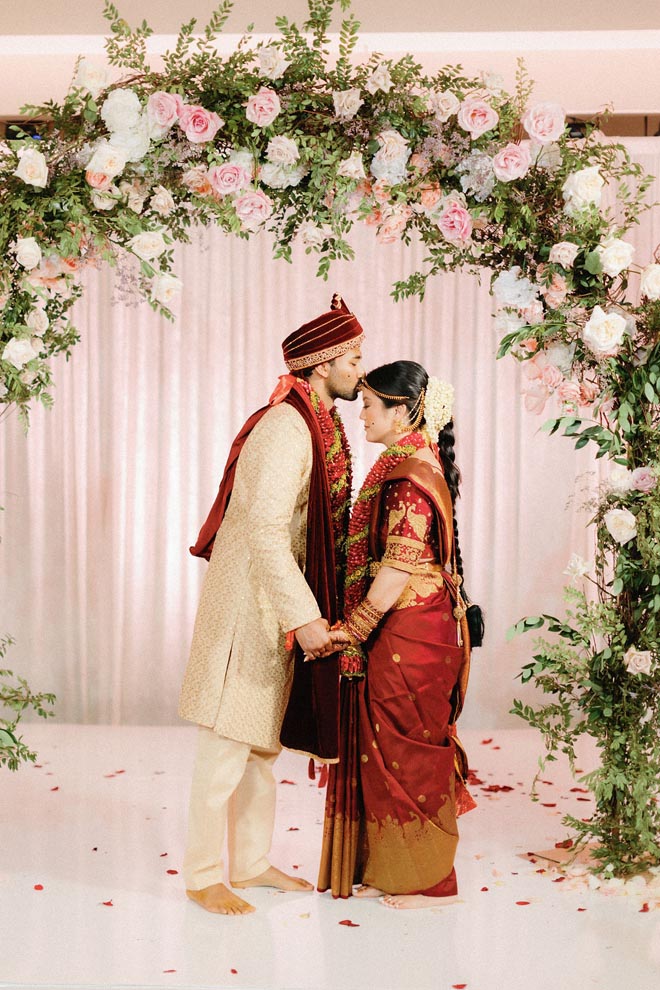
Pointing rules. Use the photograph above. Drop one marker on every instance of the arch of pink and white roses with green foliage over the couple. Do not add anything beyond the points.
(281, 136)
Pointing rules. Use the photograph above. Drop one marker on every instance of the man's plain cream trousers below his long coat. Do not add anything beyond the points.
(232, 797)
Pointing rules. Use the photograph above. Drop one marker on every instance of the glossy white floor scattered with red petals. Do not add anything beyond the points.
(90, 895)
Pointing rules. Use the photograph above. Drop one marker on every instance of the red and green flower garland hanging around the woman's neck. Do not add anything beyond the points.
(357, 564)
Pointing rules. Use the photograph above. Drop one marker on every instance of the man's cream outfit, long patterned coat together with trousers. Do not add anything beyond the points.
(239, 674)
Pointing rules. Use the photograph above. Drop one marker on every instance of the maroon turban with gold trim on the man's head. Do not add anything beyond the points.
(328, 336)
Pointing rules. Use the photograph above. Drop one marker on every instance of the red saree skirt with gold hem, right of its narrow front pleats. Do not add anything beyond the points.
(408, 753)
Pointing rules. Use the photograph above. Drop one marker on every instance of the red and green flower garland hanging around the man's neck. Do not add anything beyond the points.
(340, 477)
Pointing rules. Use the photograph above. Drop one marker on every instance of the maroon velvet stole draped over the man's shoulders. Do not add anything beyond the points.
(311, 720)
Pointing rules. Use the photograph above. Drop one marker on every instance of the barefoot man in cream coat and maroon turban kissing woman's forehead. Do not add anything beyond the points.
(274, 538)
